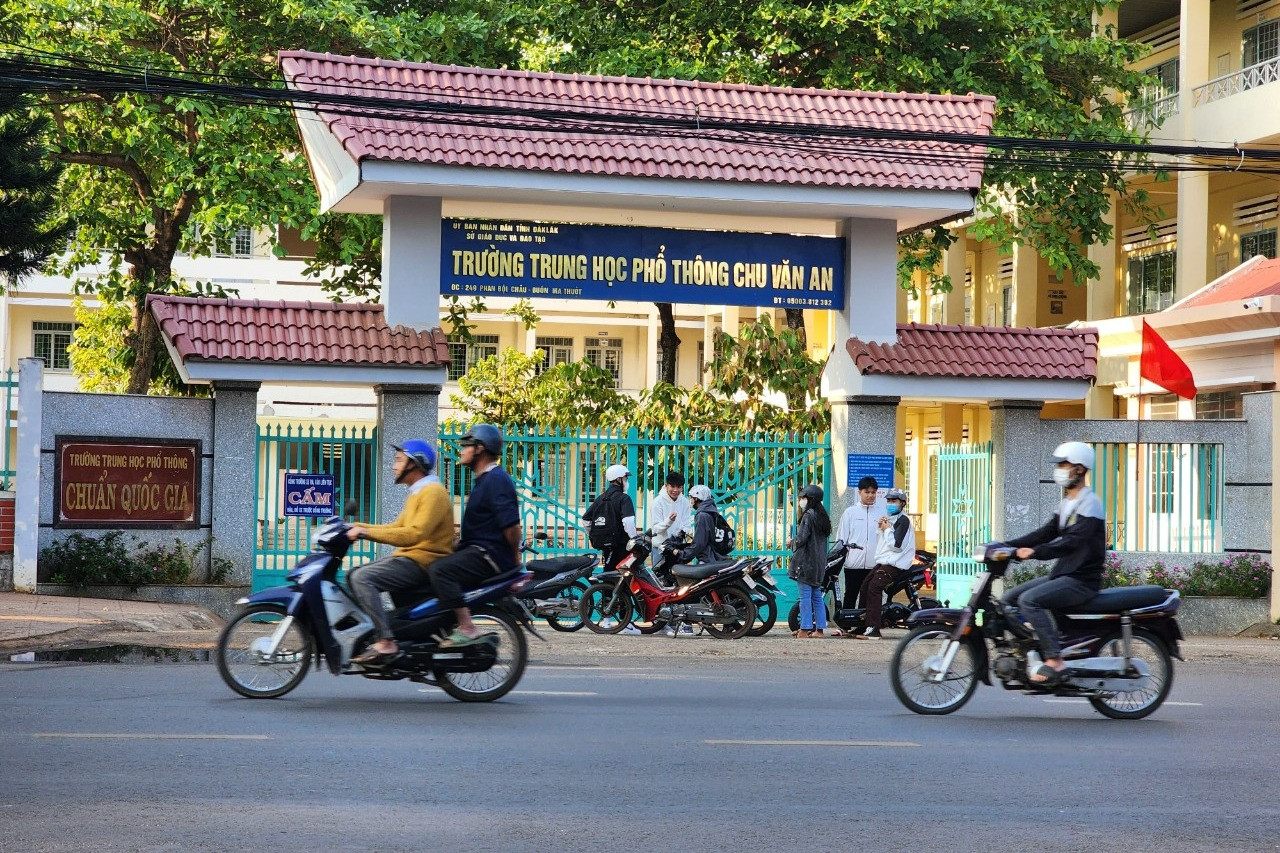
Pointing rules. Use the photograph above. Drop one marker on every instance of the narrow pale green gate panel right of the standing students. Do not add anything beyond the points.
(964, 517)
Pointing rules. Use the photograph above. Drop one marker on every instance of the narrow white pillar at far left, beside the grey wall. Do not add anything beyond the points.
(28, 466)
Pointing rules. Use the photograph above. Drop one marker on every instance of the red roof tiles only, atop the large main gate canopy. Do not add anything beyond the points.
(548, 144)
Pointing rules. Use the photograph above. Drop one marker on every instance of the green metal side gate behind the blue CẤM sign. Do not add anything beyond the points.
(349, 454)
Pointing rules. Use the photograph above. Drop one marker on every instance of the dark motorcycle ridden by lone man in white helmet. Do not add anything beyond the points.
(1119, 649)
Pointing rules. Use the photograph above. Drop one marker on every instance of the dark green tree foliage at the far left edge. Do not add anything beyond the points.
(31, 231)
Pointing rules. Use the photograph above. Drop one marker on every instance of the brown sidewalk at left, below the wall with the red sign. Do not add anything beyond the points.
(30, 623)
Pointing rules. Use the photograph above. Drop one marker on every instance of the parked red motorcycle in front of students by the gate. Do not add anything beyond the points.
(711, 595)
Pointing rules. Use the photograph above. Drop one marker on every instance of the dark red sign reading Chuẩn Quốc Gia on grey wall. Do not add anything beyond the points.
(129, 483)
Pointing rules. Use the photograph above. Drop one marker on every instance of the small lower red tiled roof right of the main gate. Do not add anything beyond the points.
(981, 352)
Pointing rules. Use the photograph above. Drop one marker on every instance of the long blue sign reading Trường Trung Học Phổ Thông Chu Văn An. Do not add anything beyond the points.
(620, 263)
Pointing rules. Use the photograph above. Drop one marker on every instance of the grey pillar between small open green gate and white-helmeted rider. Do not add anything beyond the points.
(1018, 467)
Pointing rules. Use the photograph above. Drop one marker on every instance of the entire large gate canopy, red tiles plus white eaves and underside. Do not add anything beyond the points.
(520, 145)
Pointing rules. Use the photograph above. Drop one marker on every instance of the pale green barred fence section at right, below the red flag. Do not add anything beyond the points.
(1162, 496)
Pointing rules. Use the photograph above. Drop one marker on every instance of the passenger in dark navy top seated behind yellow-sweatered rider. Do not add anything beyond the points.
(490, 537)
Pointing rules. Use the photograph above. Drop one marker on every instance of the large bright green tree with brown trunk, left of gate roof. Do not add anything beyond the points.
(152, 175)
